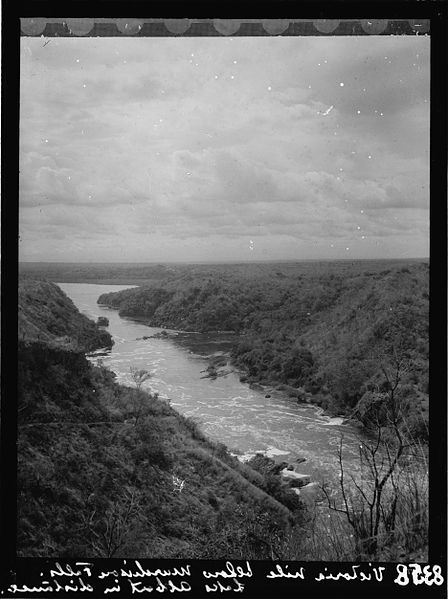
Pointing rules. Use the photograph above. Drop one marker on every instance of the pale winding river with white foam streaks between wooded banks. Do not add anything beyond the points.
(228, 410)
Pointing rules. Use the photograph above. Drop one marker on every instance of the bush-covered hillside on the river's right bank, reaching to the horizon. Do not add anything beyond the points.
(325, 335)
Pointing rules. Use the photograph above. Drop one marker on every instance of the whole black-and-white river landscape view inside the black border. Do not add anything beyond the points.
(223, 326)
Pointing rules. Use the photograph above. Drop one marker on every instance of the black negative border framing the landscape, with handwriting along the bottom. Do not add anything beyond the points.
(24, 19)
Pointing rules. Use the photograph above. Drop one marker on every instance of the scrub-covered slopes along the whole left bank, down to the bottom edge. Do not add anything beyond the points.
(96, 480)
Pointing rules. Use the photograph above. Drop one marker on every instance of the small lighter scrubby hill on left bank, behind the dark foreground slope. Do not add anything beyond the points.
(47, 314)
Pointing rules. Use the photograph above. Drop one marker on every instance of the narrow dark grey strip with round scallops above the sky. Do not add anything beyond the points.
(108, 27)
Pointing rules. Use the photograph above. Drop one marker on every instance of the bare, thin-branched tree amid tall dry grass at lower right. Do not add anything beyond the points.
(387, 503)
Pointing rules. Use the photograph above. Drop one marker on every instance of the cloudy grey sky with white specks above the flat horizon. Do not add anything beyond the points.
(224, 149)
